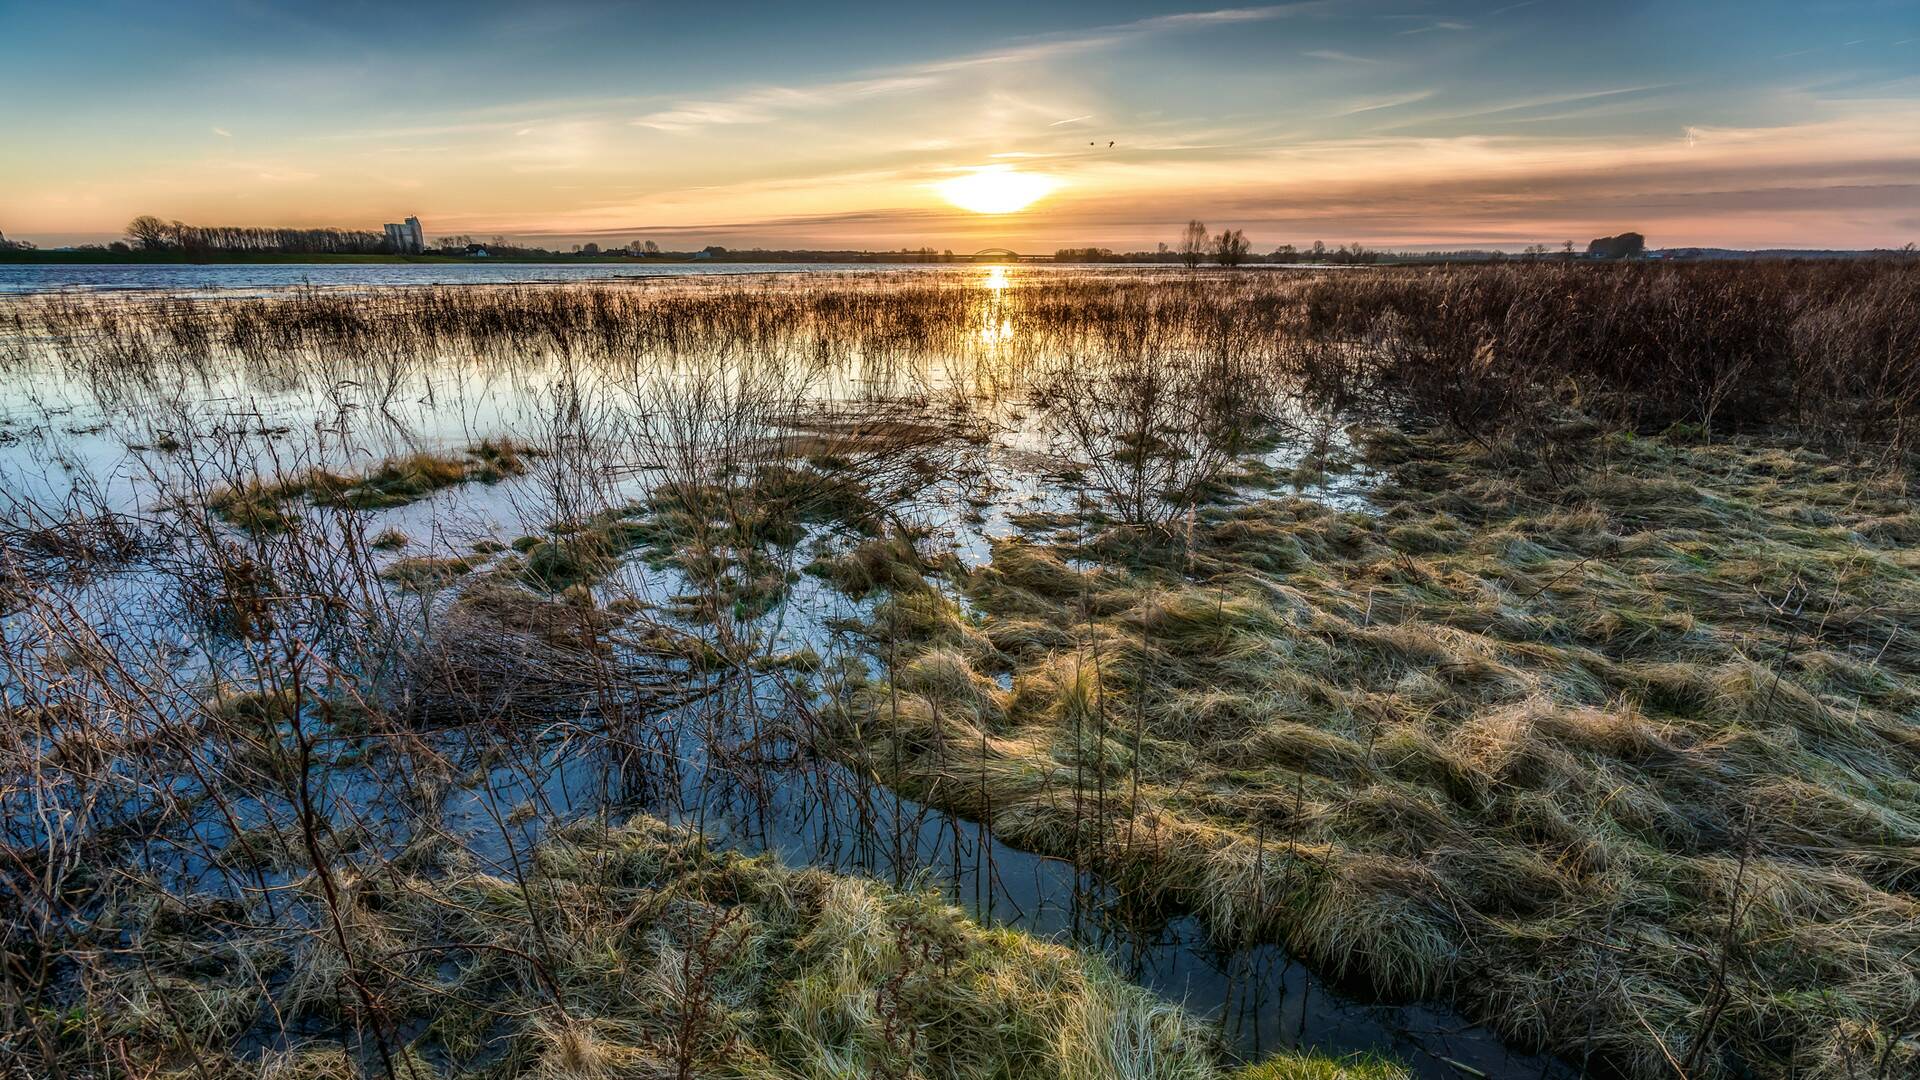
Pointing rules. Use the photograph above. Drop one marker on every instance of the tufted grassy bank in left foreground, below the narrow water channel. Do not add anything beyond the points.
(631, 952)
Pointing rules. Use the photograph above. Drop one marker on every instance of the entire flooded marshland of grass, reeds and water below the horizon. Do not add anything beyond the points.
(1491, 674)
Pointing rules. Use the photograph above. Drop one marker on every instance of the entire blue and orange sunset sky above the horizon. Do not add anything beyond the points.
(1412, 124)
